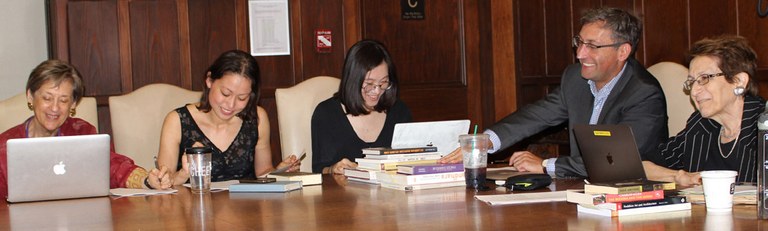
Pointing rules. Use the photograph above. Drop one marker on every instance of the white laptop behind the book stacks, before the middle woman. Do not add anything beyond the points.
(442, 134)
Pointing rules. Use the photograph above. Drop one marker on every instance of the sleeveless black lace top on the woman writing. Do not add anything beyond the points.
(234, 163)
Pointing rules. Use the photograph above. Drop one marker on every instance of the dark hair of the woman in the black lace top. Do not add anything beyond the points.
(236, 62)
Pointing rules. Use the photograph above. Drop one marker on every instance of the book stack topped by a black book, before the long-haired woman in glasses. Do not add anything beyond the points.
(387, 160)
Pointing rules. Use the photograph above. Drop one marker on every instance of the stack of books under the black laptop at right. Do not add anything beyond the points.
(615, 200)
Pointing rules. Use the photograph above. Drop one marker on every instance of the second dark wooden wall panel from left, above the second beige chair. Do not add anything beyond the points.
(155, 43)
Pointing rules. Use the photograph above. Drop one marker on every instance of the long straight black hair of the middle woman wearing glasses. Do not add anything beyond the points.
(361, 59)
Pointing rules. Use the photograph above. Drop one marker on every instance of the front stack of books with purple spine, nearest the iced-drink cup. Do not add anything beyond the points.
(411, 177)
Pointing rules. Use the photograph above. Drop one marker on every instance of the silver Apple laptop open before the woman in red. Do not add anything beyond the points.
(52, 168)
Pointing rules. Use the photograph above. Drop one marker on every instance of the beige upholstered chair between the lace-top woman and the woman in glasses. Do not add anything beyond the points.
(295, 106)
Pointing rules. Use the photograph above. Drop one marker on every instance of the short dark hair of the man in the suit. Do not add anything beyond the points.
(625, 26)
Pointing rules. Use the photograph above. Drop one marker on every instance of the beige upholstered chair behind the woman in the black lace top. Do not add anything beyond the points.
(137, 118)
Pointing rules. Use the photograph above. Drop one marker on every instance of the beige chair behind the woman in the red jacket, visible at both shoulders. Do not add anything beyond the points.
(15, 111)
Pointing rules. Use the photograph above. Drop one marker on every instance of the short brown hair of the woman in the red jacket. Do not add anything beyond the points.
(56, 71)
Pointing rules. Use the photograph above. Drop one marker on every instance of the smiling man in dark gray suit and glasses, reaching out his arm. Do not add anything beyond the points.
(607, 86)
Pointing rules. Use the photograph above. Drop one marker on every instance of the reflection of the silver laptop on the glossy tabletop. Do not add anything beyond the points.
(77, 214)
